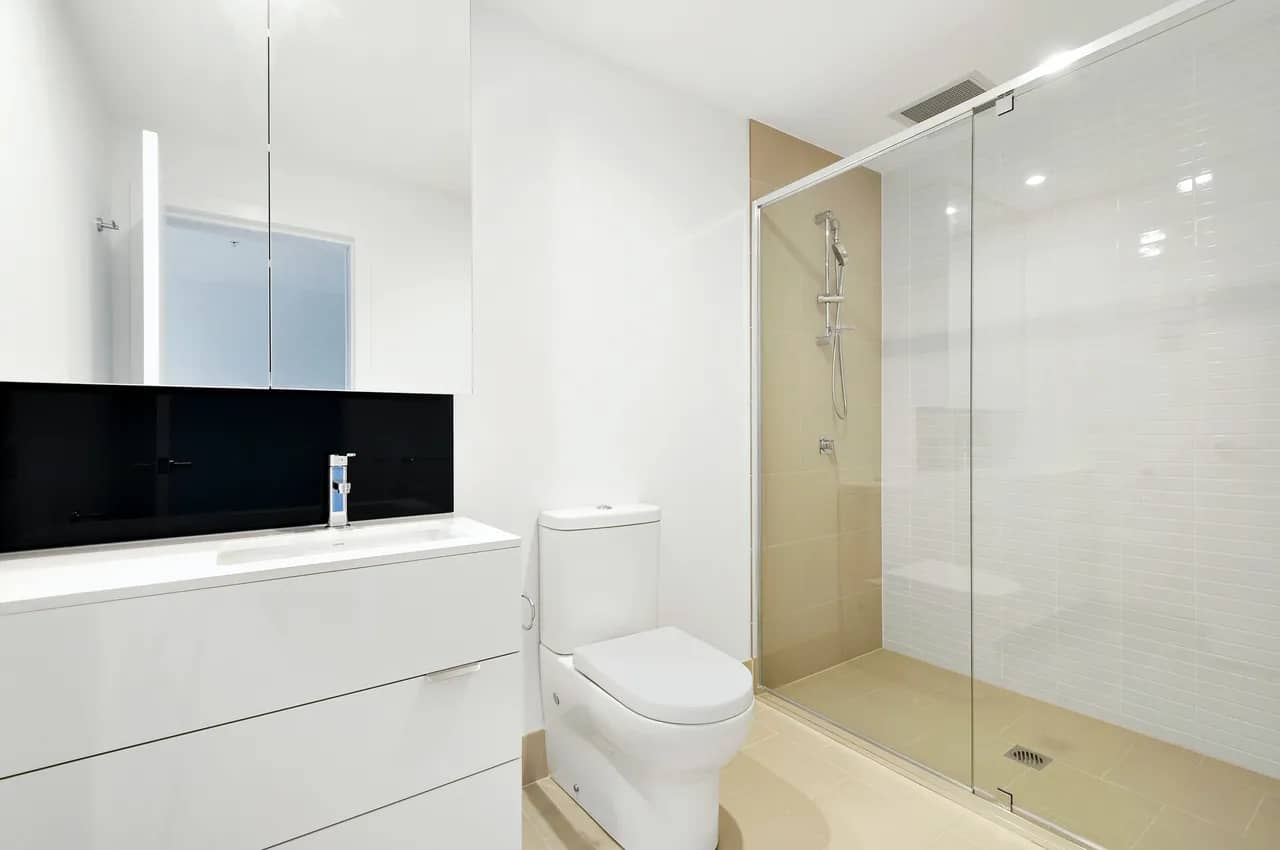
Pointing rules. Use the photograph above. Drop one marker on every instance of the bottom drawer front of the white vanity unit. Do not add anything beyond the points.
(481, 812)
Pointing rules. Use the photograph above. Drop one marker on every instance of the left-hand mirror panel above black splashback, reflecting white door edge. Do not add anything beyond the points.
(122, 113)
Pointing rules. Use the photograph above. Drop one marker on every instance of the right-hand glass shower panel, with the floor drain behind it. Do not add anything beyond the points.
(1127, 442)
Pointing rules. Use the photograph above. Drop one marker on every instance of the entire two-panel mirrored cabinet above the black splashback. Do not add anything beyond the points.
(162, 226)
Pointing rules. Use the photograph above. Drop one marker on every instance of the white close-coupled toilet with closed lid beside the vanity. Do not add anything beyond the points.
(639, 720)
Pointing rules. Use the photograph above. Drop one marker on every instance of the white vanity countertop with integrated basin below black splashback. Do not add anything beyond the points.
(56, 579)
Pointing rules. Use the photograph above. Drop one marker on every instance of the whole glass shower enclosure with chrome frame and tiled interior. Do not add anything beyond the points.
(1037, 551)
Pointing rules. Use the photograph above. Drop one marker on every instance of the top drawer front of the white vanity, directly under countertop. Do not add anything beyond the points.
(86, 680)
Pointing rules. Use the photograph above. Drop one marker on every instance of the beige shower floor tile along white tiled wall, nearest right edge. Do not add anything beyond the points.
(1209, 789)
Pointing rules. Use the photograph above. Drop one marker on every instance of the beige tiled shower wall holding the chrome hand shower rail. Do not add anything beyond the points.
(820, 514)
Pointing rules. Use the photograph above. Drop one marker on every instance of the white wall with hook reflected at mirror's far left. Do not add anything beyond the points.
(56, 323)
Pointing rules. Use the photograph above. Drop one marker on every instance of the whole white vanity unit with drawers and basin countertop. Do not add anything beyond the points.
(319, 689)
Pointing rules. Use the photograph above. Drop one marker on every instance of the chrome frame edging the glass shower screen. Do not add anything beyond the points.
(1112, 44)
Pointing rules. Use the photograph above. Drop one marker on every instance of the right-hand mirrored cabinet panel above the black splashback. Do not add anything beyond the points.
(371, 195)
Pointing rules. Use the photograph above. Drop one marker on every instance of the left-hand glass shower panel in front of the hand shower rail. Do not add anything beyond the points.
(865, 564)
